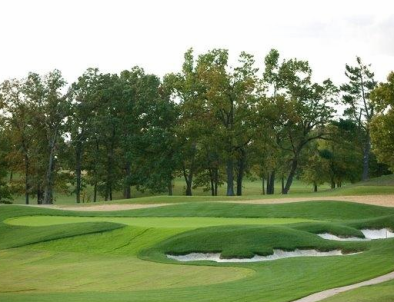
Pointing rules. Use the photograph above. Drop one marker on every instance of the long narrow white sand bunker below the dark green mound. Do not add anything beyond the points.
(278, 254)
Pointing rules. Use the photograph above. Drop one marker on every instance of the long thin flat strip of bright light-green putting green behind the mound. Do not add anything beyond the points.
(156, 222)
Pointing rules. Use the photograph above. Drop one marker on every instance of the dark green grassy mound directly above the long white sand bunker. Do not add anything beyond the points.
(247, 241)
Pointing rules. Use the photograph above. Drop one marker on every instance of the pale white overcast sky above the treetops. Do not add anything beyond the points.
(38, 35)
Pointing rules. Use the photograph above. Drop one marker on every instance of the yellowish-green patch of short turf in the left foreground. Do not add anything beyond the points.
(46, 271)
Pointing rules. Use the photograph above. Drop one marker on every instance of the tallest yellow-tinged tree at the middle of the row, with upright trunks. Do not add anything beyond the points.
(230, 98)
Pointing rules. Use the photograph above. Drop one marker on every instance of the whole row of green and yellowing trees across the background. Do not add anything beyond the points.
(211, 124)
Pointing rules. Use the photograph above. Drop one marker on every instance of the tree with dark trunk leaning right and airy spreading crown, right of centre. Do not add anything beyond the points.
(300, 111)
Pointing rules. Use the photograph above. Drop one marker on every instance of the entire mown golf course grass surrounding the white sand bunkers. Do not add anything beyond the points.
(121, 256)
